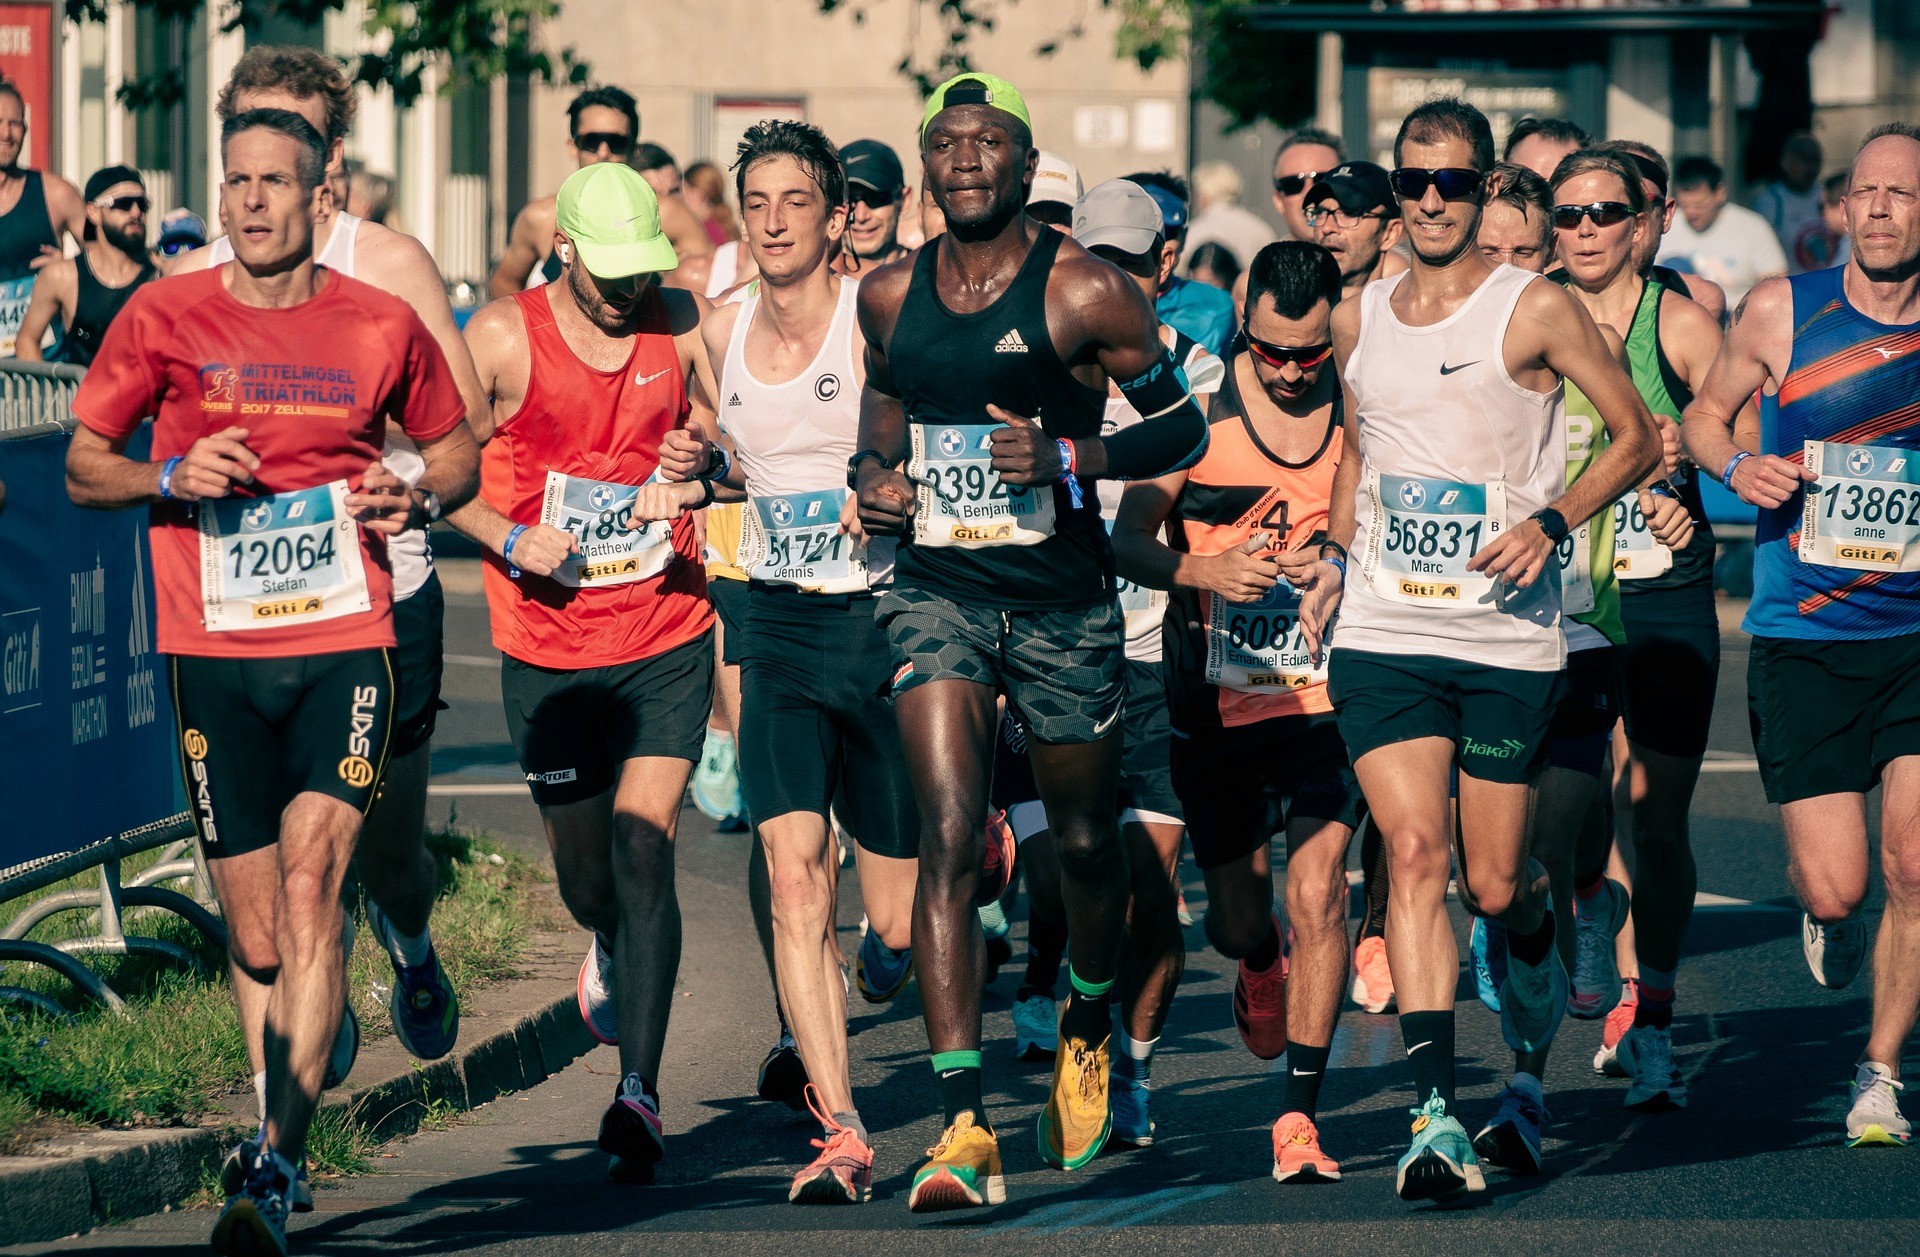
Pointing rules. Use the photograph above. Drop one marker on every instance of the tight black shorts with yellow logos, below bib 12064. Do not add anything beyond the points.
(258, 732)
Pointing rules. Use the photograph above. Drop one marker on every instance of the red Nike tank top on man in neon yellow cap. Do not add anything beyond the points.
(598, 425)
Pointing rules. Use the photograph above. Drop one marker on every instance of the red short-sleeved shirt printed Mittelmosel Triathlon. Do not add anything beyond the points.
(316, 387)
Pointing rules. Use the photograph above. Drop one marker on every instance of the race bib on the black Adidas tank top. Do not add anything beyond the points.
(961, 498)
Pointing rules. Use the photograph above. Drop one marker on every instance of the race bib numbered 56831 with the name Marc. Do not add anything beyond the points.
(1426, 531)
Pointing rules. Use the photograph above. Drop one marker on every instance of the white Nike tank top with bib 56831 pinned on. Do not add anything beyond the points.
(1439, 421)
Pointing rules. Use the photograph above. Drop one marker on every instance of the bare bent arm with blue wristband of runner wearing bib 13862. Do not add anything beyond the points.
(1756, 354)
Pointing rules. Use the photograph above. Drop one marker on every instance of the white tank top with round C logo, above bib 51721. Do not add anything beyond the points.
(798, 437)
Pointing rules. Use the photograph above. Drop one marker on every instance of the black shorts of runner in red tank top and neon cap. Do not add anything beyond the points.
(575, 730)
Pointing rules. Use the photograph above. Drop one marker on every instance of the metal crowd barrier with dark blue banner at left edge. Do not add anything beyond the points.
(89, 736)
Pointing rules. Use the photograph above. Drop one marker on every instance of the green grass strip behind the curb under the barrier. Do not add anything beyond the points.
(180, 1047)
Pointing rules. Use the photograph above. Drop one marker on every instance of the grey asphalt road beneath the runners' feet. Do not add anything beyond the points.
(1756, 1162)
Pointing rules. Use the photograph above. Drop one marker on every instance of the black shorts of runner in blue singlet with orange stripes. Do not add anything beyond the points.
(1829, 717)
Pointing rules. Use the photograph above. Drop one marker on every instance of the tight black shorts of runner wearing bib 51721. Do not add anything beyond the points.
(817, 728)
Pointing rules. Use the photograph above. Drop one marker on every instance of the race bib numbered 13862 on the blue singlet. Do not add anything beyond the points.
(1863, 511)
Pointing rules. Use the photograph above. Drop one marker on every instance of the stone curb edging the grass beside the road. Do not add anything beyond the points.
(101, 1177)
